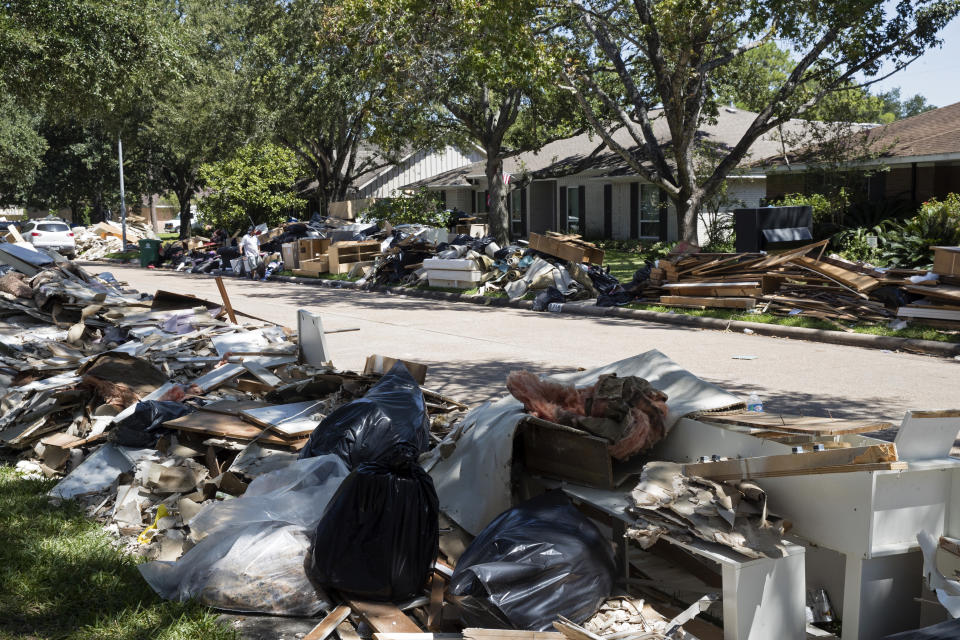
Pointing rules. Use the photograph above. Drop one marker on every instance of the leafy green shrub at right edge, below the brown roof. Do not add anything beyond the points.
(906, 244)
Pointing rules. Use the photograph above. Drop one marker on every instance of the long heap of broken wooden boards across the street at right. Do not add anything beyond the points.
(805, 282)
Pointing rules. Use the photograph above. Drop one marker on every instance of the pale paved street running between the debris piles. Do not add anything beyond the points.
(470, 348)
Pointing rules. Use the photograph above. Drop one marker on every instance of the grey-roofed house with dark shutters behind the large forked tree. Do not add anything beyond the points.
(567, 187)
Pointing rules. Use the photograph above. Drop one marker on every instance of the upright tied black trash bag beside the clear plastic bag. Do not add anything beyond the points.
(379, 536)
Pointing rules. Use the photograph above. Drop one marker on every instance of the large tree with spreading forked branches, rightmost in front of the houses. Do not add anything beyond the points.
(668, 54)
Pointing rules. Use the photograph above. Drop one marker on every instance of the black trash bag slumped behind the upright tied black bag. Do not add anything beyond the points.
(388, 425)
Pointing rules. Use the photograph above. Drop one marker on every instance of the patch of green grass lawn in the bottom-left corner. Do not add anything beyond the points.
(62, 578)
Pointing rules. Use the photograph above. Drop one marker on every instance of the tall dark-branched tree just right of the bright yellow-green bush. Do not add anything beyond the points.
(324, 87)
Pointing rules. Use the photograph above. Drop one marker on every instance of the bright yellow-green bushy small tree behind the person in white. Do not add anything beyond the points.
(255, 185)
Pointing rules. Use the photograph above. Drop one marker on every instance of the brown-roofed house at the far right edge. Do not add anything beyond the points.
(919, 157)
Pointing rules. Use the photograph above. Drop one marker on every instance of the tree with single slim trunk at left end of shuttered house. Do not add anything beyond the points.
(491, 69)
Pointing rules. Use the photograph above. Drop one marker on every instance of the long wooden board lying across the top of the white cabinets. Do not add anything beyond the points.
(871, 458)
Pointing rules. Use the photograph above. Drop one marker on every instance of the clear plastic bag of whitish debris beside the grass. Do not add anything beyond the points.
(252, 551)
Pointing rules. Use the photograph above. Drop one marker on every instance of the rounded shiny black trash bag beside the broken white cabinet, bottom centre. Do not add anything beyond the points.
(537, 561)
